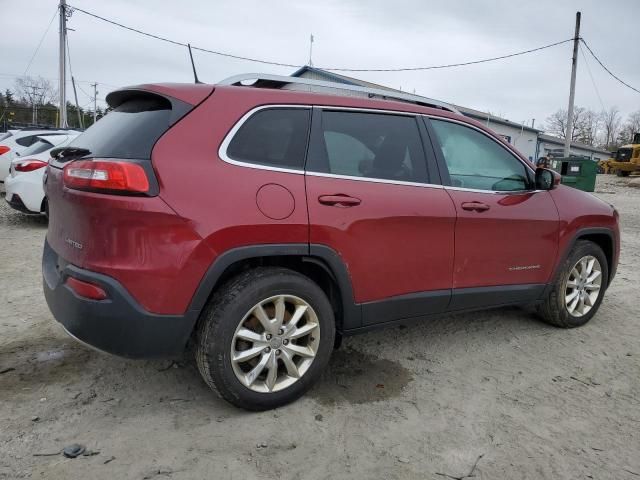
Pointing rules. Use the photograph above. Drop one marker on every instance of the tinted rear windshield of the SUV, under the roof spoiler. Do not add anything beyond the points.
(128, 131)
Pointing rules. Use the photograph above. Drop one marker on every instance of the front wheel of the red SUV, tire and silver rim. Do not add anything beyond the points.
(555, 309)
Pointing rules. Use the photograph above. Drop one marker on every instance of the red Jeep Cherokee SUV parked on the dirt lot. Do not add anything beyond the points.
(262, 223)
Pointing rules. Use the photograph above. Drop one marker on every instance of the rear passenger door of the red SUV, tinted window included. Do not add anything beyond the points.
(371, 199)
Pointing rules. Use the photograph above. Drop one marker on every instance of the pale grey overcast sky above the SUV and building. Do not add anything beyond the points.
(348, 33)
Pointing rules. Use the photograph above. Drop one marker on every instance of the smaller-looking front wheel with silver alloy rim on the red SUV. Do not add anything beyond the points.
(577, 291)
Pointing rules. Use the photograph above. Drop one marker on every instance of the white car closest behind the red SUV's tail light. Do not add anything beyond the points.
(24, 183)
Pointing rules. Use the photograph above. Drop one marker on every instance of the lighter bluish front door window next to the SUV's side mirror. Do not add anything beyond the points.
(475, 161)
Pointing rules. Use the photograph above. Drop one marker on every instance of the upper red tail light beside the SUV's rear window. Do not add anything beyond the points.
(99, 175)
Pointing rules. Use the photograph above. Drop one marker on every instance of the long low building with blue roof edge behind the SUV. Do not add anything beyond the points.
(531, 142)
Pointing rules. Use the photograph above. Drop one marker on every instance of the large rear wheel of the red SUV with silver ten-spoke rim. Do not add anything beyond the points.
(233, 312)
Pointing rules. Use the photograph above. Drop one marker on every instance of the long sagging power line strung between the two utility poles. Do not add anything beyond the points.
(337, 69)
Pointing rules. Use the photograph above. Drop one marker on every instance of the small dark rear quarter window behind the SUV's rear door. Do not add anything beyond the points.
(275, 137)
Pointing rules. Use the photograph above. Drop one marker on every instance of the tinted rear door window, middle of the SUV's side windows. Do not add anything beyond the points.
(369, 145)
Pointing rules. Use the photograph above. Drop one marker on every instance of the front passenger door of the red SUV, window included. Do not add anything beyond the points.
(506, 234)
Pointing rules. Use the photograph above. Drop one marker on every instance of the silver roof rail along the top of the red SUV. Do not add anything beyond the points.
(266, 80)
